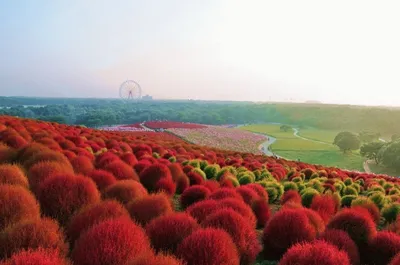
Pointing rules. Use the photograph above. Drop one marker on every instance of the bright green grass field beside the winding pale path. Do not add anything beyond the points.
(291, 147)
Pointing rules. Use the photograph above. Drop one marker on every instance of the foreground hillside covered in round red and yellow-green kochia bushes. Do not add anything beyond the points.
(74, 195)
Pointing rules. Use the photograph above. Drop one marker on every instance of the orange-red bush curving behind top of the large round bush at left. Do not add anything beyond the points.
(43, 170)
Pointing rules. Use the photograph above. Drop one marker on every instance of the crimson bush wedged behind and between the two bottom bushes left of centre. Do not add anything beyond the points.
(166, 232)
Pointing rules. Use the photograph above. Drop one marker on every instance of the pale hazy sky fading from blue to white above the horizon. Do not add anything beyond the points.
(333, 51)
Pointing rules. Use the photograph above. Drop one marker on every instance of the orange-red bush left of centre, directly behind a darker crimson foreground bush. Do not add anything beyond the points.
(145, 209)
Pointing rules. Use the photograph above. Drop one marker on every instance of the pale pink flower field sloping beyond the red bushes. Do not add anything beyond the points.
(222, 138)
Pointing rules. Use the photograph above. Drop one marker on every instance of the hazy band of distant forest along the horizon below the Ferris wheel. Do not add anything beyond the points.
(93, 112)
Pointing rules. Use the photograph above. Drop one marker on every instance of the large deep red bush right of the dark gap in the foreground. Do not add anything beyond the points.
(286, 228)
